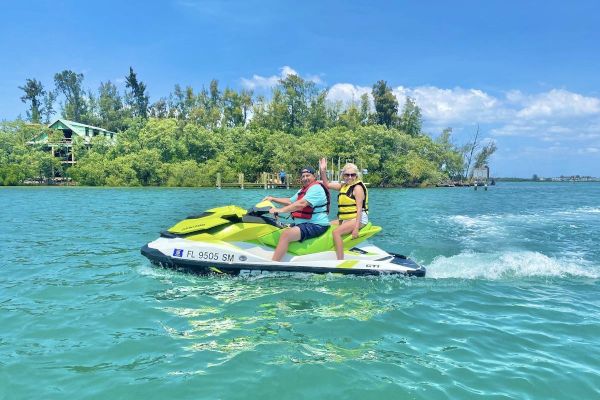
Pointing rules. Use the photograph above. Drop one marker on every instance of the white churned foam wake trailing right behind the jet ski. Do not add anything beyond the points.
(507, 265)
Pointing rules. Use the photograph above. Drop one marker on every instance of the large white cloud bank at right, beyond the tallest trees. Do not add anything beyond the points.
(548, 116)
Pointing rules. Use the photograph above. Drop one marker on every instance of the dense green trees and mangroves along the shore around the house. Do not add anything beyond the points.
(188, 137)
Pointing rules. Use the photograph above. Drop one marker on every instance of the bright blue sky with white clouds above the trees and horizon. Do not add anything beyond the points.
(528, 72)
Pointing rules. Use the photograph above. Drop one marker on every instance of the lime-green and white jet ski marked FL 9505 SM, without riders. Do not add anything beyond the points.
(235, 241)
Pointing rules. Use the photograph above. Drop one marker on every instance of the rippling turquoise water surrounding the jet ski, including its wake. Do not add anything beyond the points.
(510, 307)
